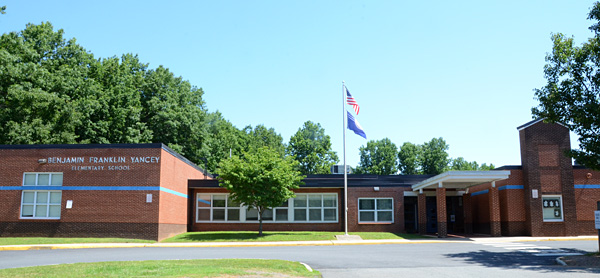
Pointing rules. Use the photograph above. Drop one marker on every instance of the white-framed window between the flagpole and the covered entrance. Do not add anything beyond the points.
(376, 210)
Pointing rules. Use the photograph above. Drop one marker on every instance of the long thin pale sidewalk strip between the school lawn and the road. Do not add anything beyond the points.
(288, 243)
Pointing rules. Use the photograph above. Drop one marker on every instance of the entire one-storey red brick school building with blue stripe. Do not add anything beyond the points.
(149, 191)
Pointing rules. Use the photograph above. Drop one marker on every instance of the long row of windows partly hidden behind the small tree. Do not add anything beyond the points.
(303, 208)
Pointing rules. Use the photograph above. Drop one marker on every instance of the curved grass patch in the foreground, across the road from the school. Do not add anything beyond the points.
(179, 268)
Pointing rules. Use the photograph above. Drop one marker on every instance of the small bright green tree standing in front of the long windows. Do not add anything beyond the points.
(261, 179)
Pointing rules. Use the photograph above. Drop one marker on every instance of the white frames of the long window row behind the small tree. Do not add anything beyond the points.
(290, 210)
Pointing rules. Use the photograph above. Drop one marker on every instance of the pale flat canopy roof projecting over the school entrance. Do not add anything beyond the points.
(461, 179)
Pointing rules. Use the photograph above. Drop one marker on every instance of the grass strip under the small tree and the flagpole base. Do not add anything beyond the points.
(277, 236)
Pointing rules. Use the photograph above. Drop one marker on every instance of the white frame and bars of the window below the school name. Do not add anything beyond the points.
(37, 191)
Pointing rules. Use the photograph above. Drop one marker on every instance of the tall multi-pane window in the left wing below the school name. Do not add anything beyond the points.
(41, 204)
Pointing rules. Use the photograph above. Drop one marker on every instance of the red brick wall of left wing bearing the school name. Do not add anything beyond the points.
(103, 212)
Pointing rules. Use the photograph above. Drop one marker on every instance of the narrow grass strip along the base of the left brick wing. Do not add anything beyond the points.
(59, 240)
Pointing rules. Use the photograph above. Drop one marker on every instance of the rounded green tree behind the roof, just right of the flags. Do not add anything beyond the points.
(379, 158)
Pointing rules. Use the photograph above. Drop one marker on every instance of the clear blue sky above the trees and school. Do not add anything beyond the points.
(461, 70)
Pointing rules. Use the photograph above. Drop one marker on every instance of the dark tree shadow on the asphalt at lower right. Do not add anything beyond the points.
(521, 260)
